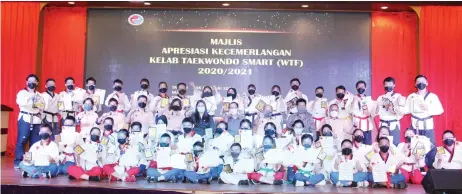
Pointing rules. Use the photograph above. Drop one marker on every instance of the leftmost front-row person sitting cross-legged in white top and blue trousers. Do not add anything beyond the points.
(42, 157)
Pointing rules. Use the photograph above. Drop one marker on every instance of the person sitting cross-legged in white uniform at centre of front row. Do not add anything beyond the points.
(237, 166)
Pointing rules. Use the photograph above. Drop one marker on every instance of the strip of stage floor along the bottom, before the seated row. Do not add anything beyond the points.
(10, 176)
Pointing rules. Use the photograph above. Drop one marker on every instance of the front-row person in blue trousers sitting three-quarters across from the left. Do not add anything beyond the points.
(359, 171)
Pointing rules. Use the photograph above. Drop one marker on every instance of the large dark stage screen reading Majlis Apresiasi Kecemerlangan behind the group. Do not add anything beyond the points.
(228, 49)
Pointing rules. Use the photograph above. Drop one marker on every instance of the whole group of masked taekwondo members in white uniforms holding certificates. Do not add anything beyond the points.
(257, 140)
